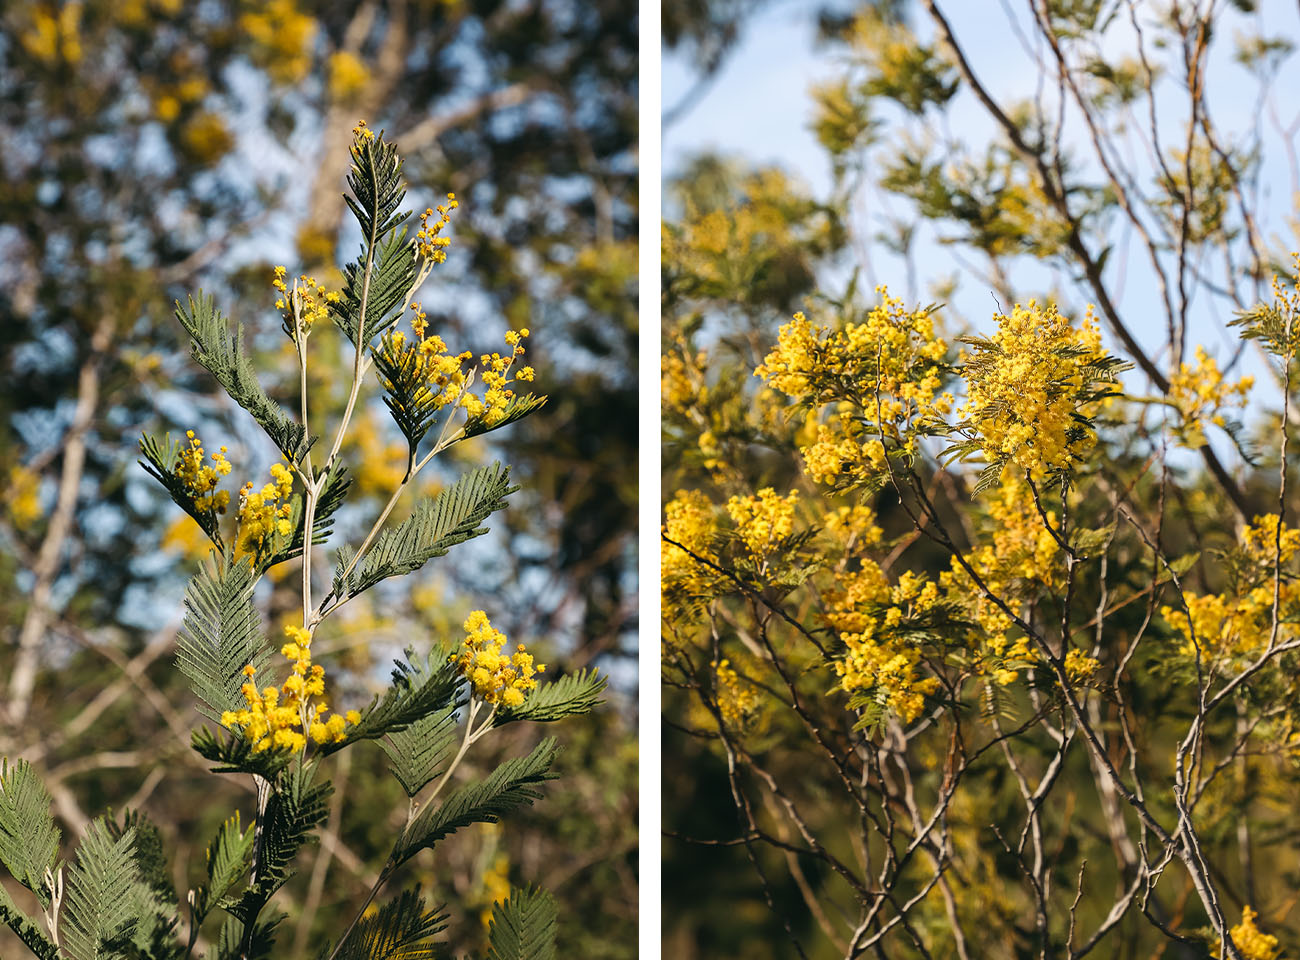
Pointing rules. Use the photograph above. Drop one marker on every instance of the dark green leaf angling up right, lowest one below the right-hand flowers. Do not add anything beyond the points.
(484, 802)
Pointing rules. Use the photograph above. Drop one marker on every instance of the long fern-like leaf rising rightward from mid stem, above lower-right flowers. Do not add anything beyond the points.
(434, 529)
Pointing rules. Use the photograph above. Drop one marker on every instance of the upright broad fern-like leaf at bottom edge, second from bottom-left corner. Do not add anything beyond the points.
(99, 913)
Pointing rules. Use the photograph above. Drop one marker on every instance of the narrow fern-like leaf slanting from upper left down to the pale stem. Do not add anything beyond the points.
(218, 345)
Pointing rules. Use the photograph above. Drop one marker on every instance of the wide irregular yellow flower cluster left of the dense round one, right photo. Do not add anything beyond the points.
(879, 382)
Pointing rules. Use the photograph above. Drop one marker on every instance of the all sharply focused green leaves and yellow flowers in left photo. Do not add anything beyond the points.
(115, 900)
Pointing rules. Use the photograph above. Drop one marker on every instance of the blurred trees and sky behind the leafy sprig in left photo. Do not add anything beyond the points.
(153, 148)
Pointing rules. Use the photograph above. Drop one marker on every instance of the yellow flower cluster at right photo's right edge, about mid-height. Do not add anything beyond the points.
(1236, 625)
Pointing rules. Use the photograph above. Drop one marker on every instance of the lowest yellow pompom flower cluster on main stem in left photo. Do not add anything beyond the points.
(276, 719)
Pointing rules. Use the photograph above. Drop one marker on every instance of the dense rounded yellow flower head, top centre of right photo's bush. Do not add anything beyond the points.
(1028, 383)
